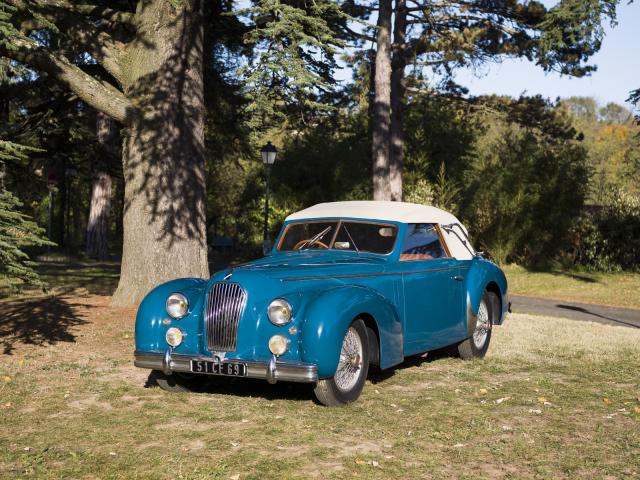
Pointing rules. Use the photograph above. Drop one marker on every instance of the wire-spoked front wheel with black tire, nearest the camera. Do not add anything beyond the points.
(333, 392)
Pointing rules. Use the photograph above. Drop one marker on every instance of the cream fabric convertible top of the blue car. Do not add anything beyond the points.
(403, 212)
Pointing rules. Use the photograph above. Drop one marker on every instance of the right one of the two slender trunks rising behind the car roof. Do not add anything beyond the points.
(398, 89)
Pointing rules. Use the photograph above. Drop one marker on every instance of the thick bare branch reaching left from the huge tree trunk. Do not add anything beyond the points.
(99, 94)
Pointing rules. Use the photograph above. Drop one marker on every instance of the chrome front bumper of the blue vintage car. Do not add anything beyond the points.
(272, 371)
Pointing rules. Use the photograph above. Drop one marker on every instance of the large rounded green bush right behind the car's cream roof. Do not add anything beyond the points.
(513, 170)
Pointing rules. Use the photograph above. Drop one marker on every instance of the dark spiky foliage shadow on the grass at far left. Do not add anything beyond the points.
(38, 321)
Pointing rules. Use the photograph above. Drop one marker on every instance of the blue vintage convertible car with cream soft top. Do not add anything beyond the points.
(348, 285)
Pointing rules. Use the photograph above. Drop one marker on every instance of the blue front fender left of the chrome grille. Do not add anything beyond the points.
(150, 328)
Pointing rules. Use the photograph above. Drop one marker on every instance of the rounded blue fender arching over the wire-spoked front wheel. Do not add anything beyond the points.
(328, 317)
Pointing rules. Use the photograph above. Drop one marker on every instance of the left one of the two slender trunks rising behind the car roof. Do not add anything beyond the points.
(382, 105)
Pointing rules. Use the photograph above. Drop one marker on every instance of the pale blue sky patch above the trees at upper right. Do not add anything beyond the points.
(618, 71)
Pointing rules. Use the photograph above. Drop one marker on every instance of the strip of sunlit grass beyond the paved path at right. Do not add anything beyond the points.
(616, 289)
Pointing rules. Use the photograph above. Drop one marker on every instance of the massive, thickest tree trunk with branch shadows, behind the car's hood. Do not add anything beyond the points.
(163, 151)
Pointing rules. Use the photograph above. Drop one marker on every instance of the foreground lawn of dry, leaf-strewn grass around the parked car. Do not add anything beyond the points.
(553, 399)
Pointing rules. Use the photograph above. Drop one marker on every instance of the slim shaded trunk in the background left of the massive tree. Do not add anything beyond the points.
(100, 205)
